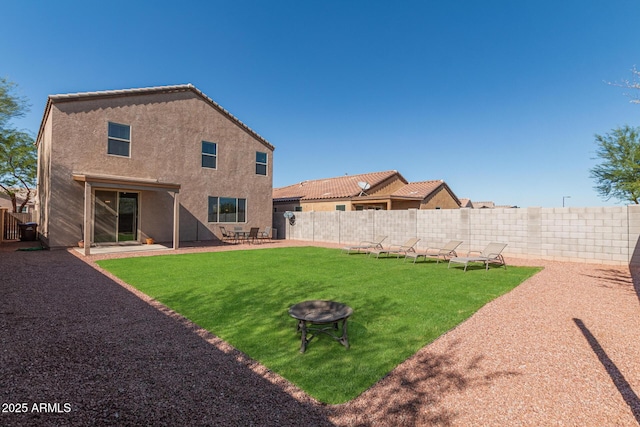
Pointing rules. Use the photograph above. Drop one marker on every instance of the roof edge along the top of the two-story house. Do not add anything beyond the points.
(145, 91)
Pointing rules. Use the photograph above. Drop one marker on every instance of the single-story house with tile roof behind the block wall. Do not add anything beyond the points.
(387, 190)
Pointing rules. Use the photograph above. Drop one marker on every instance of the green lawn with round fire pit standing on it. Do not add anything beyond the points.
(243, 297)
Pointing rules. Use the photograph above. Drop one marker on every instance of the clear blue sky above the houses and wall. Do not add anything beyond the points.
(499, 98)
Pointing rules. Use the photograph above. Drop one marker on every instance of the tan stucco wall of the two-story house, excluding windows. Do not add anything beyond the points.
(166, 135)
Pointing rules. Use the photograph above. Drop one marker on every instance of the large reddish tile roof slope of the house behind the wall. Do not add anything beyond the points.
(329, 188)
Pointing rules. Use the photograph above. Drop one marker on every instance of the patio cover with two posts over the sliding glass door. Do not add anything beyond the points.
(91, 181)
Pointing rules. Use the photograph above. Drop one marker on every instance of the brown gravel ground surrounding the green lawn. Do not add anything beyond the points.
(561, 349)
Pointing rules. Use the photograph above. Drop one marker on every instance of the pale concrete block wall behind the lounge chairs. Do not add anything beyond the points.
(603, 235)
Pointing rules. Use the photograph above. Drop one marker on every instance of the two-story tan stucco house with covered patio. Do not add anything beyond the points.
(162, 162)
